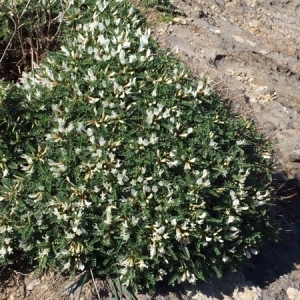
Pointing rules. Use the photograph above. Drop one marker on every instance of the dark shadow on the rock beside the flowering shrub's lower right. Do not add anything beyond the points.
(277, 259)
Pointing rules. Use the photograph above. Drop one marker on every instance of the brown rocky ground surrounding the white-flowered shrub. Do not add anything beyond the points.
(251, 50)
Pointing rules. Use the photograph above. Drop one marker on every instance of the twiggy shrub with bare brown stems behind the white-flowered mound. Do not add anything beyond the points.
(29, 27)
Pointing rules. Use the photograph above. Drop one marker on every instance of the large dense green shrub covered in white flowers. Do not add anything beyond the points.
(112, 157)
